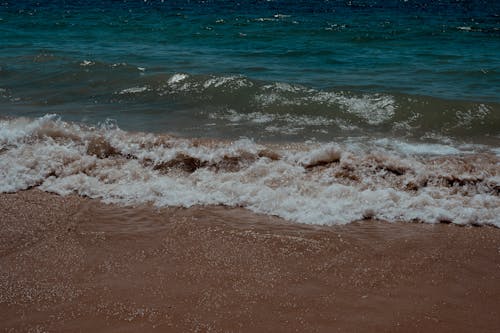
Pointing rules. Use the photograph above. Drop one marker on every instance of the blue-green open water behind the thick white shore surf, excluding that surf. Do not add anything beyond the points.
(434, 65)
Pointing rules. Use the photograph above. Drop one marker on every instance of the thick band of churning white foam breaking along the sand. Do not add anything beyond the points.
(309, 183)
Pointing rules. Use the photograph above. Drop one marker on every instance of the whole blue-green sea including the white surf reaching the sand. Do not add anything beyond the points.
(319, 112)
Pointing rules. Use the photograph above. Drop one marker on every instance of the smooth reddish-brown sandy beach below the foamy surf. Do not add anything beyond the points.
(77, 265)
